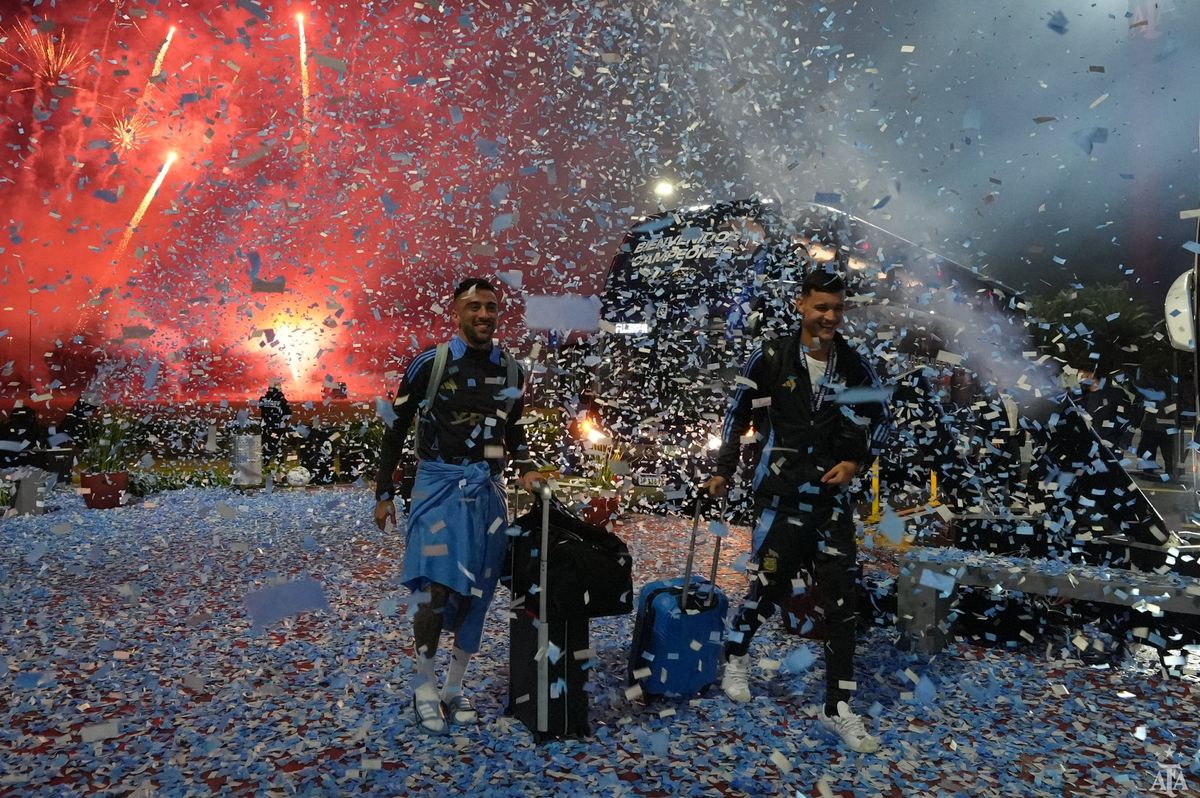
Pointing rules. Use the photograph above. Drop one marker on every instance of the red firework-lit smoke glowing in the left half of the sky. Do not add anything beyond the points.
(307, 248)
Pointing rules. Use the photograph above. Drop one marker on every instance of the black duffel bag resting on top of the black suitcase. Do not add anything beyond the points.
(591, 572)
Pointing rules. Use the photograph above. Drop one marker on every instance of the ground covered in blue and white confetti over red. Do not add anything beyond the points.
(131, 667)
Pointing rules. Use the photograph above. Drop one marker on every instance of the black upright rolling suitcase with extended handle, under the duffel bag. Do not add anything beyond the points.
(548, 661)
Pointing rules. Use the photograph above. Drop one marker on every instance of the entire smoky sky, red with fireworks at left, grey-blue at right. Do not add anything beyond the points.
(442, 140)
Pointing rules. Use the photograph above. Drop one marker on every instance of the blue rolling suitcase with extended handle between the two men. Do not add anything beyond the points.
(680, 633)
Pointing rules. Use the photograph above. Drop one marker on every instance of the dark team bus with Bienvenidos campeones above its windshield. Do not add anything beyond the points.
(691, 292)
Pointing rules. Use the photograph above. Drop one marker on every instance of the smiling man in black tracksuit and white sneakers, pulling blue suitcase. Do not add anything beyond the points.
(823, 412)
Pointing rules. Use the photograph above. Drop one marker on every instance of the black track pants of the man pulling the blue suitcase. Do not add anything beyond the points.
(824, 547)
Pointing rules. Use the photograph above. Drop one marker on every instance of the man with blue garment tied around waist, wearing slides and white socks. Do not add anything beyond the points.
(466, 398)
